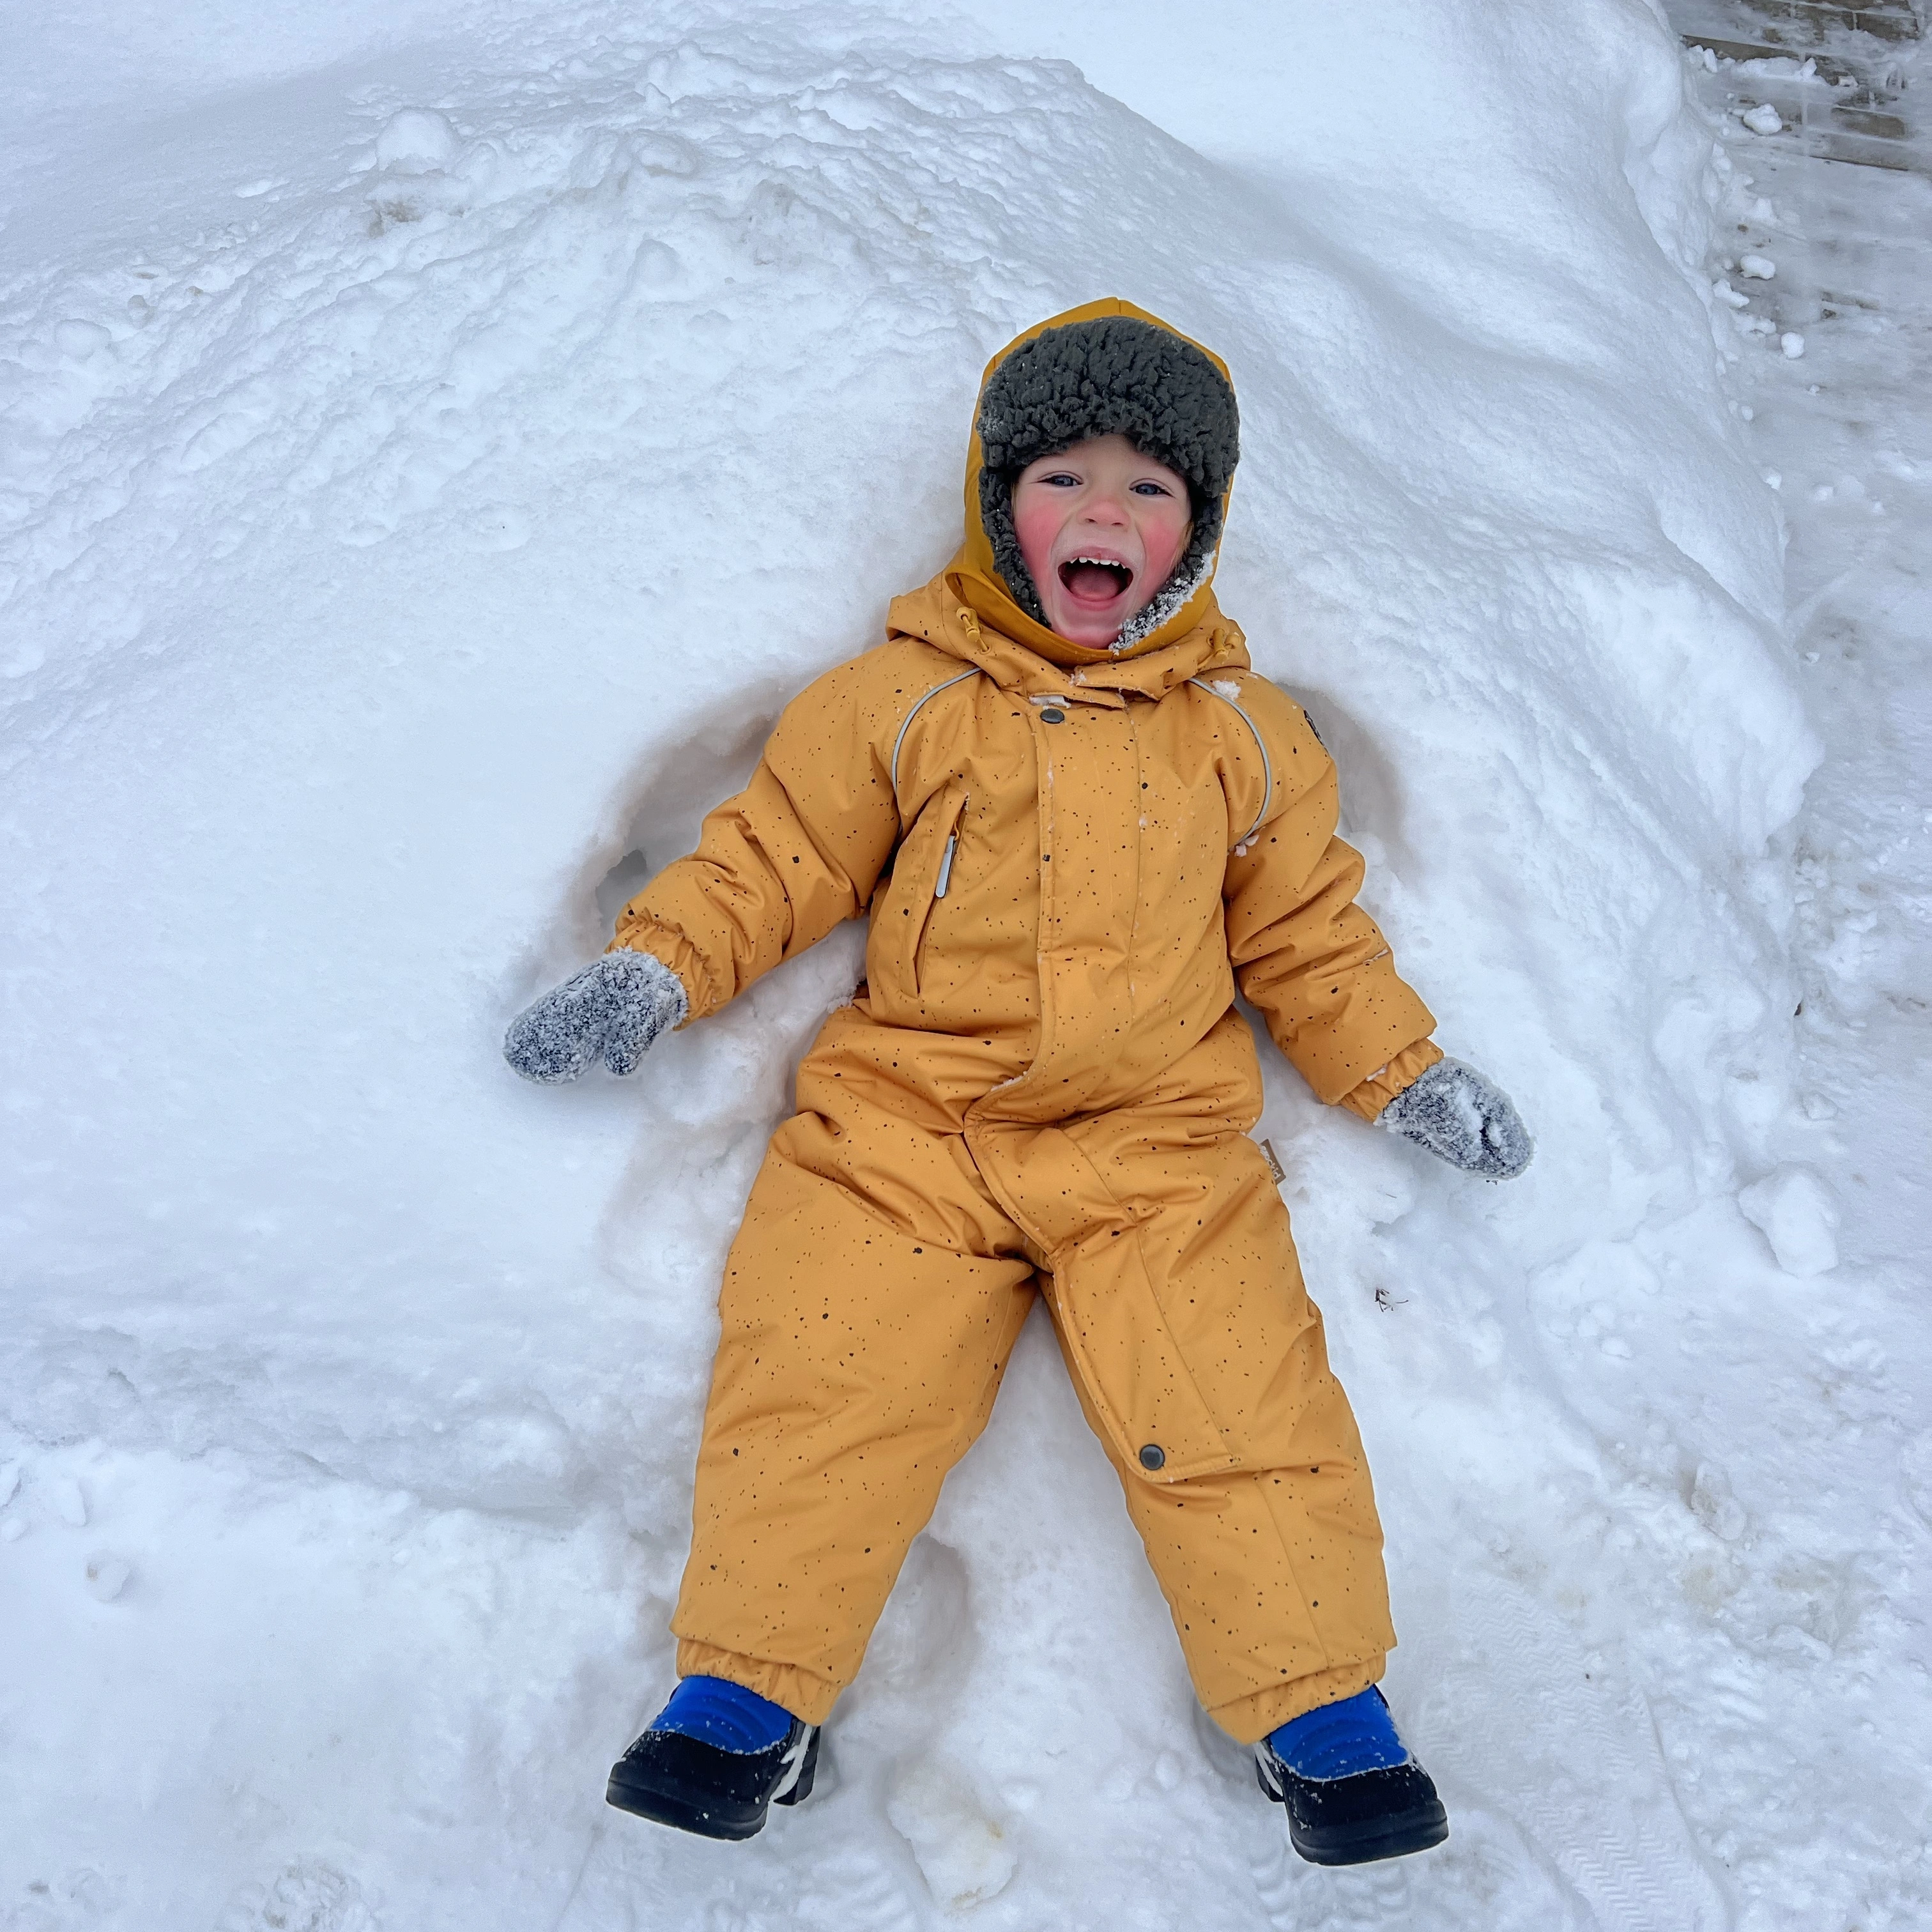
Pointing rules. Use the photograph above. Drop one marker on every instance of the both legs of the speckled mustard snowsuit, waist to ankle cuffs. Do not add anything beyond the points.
(872, 1301)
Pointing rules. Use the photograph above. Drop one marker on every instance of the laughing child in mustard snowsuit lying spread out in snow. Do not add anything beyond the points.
(1079, 822)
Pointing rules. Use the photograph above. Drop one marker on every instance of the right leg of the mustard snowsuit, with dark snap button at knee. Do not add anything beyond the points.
(1181, 1311)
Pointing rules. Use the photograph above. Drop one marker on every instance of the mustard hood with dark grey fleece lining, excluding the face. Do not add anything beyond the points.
(1100, 370)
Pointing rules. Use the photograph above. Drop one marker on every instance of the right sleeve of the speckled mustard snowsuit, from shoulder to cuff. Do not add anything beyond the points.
(1305, 953)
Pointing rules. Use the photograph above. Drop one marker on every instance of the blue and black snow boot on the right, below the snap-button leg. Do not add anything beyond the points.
(1350, 1784)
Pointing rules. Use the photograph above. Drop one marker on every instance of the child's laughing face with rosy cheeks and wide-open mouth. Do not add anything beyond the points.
(1102, 530)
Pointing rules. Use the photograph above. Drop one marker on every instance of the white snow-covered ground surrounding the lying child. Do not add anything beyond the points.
(434, 441)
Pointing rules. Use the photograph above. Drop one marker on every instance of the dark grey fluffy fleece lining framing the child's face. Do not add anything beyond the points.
(1110, 378)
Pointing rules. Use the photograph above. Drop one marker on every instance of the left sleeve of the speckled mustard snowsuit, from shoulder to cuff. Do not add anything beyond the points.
(797, 853)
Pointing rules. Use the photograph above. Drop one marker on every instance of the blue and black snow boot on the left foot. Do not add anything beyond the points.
(716, 1759)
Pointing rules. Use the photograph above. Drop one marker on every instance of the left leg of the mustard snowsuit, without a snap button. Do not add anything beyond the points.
(870, 1307)
